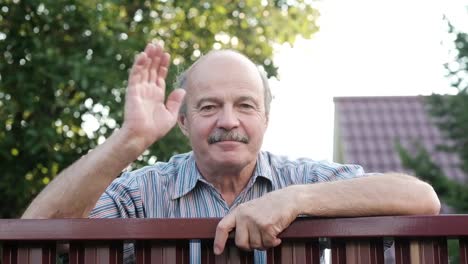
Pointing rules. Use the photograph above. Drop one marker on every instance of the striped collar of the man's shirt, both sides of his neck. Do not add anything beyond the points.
(188, 174)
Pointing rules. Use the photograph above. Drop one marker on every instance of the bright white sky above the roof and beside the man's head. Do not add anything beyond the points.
(363, 48)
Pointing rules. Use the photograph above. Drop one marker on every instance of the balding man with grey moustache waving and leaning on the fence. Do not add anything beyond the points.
(225, 115)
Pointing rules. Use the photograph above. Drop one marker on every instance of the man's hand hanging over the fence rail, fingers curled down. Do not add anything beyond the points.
(258, 222)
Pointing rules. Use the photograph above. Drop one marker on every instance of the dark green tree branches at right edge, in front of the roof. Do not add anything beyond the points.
(450, 114)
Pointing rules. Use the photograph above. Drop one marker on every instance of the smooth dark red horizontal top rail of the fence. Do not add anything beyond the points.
(204, 228)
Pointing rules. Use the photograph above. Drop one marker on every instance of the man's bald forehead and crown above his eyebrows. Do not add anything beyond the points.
(224, 68)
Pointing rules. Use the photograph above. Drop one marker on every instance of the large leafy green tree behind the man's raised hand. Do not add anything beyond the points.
(64, 65)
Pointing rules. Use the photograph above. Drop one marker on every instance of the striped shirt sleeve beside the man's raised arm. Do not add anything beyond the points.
(122, 199)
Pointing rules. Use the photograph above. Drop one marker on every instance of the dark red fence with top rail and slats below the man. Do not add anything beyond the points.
(417, 239)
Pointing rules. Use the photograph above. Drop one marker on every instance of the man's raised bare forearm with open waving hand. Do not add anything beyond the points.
(74, 192)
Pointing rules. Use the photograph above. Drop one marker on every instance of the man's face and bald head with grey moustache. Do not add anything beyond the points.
(225, 119)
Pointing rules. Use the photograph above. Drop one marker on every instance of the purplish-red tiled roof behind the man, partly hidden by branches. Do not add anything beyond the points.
(369, 127)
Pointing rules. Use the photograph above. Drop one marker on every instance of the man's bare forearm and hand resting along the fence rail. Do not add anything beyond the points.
(259, 222)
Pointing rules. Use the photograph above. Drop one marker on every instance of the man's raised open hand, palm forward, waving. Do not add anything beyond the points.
(147, 119)
